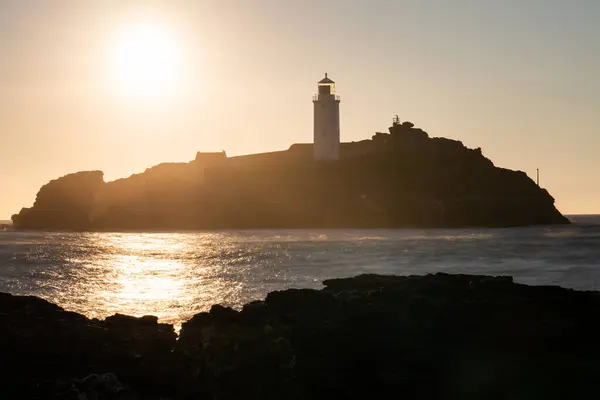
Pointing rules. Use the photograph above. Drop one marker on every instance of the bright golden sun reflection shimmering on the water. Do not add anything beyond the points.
(158, 274)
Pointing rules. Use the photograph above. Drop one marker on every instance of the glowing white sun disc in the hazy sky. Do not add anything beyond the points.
(146, 61)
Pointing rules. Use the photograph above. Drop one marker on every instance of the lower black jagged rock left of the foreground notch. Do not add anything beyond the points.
(47, 347)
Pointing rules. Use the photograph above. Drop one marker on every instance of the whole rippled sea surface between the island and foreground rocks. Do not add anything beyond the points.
(175, 275)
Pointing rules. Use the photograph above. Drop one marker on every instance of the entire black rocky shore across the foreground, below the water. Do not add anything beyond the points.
(436, 336)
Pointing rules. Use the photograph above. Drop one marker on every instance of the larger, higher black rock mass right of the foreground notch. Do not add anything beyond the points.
(438, 336)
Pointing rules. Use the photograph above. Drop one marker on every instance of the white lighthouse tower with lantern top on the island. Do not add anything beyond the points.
(326, 145)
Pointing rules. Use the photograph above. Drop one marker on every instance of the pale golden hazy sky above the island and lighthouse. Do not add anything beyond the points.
(518, 78)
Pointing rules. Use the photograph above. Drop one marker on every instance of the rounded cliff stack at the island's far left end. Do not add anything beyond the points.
(64, 203)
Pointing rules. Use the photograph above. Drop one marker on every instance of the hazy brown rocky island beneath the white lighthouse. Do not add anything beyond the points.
(403, 178)
